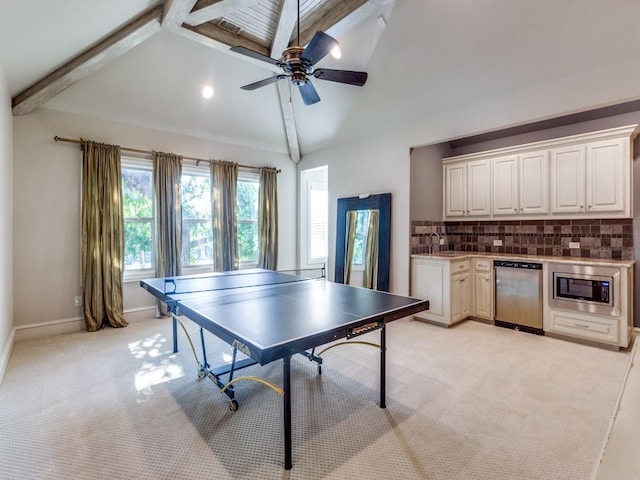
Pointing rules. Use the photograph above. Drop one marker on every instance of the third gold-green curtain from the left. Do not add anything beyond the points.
(224, 180)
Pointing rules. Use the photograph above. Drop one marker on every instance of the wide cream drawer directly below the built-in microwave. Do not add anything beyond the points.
(589, 327)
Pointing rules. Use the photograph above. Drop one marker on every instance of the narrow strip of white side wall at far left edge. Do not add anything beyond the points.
(6, 231)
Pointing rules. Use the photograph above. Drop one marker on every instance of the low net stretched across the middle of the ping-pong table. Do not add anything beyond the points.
(239, 279)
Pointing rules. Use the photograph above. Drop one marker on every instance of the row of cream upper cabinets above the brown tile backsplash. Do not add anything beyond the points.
(586, 175)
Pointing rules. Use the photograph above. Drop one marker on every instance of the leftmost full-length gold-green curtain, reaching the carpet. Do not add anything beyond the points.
(102, 236)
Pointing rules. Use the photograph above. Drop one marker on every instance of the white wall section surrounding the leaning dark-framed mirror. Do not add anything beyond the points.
(377, 165)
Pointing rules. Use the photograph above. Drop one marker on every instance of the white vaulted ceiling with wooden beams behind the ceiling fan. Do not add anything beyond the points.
(430, 62)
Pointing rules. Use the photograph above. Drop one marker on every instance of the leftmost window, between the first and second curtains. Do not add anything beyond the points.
(137, 194)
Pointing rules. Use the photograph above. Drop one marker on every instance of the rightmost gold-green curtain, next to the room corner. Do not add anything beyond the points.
(268, 219)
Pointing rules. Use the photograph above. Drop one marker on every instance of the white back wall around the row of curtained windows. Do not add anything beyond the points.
(47, 206)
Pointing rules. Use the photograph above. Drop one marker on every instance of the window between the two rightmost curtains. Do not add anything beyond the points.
(247, 214)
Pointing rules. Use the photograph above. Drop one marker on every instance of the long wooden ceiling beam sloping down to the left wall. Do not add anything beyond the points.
(127, 37)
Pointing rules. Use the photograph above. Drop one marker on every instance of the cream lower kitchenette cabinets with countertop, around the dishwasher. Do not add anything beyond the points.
(459, 286)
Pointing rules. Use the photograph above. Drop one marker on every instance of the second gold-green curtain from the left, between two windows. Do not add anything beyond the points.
(167, 171)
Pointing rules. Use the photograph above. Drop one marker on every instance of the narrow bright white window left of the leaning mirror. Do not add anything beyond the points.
(318, 218)
